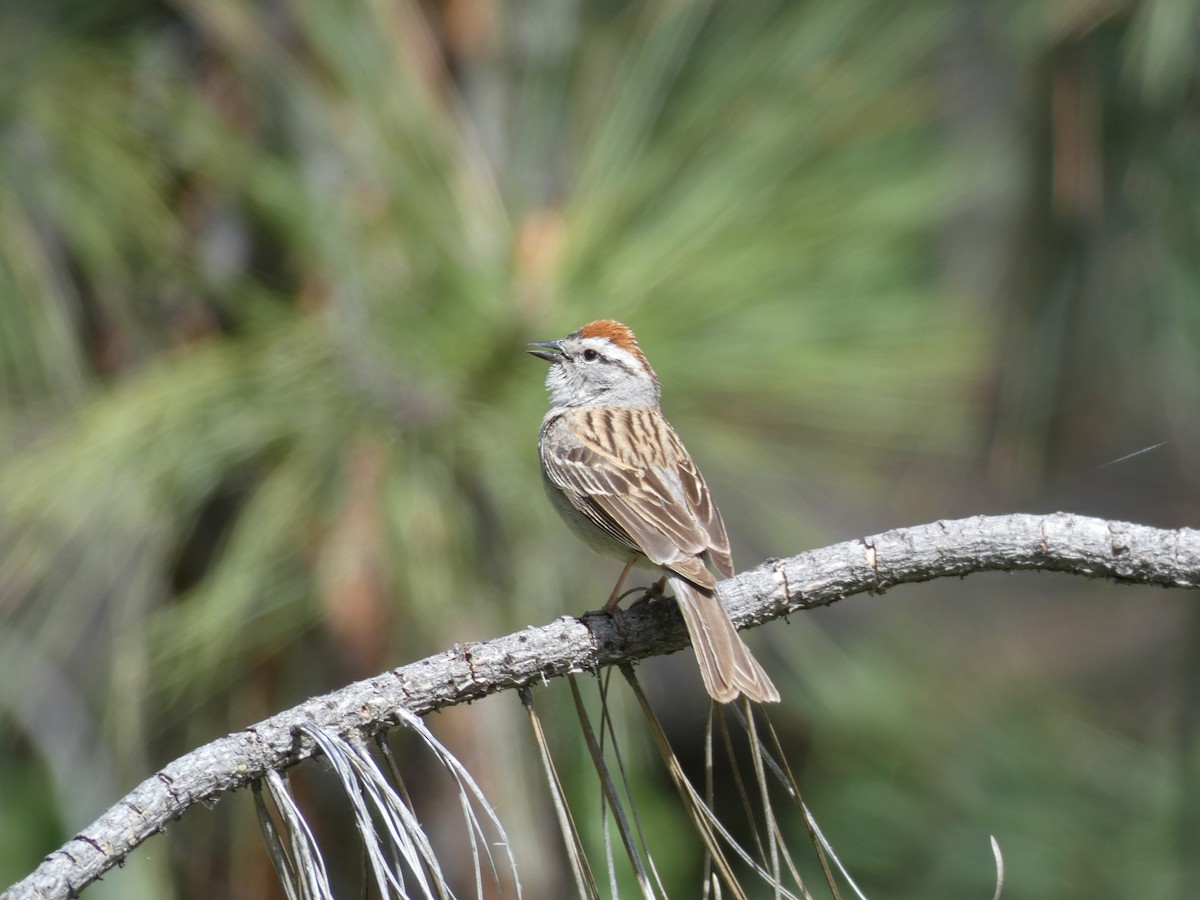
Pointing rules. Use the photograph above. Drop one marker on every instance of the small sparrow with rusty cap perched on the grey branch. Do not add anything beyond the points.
(620, 476)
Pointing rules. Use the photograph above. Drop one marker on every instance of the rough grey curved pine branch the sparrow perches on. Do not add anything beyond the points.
(1123, 553)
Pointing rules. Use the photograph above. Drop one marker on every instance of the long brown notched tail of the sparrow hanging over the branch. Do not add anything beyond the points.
(727, 664)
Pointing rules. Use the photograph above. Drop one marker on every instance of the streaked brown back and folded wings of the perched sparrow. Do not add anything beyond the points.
(663, 508)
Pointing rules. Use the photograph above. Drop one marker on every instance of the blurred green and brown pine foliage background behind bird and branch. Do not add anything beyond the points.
(267, 425)
